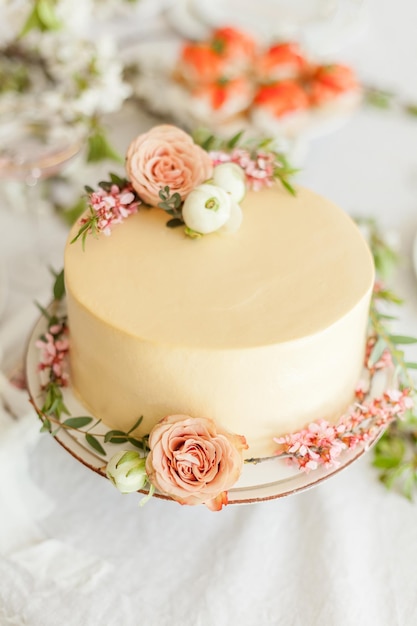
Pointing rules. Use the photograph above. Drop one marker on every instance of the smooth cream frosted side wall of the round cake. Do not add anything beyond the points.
(260, 392)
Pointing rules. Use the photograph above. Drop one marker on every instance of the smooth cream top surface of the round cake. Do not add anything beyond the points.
(296, 266)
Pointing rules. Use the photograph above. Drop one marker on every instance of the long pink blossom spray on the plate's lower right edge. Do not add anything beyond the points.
(321, 443)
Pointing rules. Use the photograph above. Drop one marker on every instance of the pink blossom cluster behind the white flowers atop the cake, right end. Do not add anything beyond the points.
(259, 166)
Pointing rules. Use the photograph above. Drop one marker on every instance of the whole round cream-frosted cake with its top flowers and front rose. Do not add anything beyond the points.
(248, 314)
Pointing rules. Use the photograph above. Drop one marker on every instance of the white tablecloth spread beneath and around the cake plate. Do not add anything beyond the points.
(73, 551)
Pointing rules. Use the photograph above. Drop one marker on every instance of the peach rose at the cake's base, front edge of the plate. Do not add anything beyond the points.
(193, 461)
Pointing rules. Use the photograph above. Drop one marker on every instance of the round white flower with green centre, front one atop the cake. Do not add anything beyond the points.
(206, 208)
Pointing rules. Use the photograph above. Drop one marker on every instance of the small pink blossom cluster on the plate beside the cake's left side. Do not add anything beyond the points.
(54, 346)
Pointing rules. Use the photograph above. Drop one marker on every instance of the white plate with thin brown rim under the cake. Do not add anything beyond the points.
(269, 479)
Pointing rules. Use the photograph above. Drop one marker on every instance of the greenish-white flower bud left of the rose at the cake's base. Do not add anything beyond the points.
(126, 470)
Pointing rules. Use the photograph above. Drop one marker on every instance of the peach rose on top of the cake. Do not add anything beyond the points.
(164, 156)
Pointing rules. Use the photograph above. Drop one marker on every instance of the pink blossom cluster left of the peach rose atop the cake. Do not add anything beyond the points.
(111, 207)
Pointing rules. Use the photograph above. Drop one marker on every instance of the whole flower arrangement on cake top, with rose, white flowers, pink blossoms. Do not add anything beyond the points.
(199, 182)
